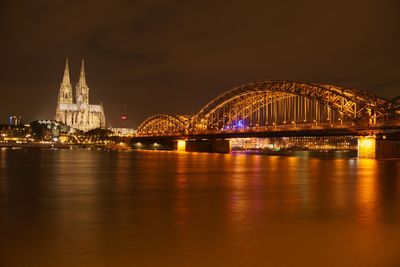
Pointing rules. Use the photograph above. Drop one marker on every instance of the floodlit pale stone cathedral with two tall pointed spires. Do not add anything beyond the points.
(79, 114)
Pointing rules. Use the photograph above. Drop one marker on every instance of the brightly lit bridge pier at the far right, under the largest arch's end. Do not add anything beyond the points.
(373, 148)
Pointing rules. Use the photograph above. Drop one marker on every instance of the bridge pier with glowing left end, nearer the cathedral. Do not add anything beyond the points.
(212, 145)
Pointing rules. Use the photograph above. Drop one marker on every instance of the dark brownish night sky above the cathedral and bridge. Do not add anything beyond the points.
(175, 56)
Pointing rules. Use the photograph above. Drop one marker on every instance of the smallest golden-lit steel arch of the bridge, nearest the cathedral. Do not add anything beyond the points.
(164, 124)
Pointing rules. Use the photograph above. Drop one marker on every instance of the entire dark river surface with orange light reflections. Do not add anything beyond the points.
(97, 208)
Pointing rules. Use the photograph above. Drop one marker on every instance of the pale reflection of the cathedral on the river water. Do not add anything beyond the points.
(76, 188)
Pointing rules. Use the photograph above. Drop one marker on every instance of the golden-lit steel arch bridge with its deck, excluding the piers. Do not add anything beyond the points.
(274, 108)
